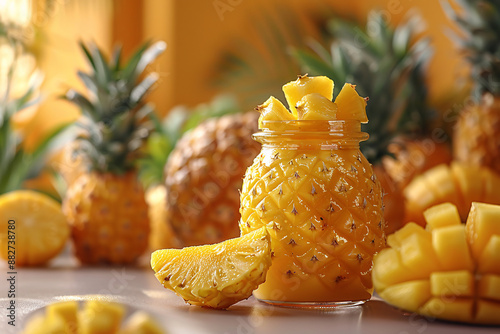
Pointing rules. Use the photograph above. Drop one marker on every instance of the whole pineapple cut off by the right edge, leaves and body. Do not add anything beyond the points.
(477, 131)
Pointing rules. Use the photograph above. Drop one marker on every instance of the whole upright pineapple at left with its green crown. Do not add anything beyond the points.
(105, 205)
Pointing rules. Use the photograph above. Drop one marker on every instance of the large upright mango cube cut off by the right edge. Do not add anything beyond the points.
(482, 223)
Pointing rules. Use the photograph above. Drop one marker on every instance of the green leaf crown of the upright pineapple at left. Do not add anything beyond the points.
(115, 118)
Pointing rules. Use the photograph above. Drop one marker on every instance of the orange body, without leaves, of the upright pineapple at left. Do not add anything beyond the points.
(108, 215)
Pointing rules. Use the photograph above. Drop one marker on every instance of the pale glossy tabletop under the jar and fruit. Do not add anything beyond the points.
(138, 288)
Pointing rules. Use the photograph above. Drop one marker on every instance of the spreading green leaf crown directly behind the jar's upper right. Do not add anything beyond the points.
(387, 65)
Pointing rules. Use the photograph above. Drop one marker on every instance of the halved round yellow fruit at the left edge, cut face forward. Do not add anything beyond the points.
(33, 224)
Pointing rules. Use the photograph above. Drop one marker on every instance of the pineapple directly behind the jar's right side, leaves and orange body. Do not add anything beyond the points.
(387, 66)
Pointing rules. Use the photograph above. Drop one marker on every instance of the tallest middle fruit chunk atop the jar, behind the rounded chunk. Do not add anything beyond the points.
(304, 85)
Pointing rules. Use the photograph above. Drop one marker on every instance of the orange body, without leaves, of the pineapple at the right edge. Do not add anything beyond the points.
(476, 137)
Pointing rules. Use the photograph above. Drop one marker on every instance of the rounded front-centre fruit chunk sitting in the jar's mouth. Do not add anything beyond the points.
(315, 106)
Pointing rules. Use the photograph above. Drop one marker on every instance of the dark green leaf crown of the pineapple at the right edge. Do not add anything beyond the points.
(479, 21)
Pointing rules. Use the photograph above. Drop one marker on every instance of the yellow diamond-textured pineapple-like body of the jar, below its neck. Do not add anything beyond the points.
(323, 210)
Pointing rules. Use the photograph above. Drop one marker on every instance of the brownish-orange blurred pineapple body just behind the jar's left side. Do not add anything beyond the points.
(203, 175)
